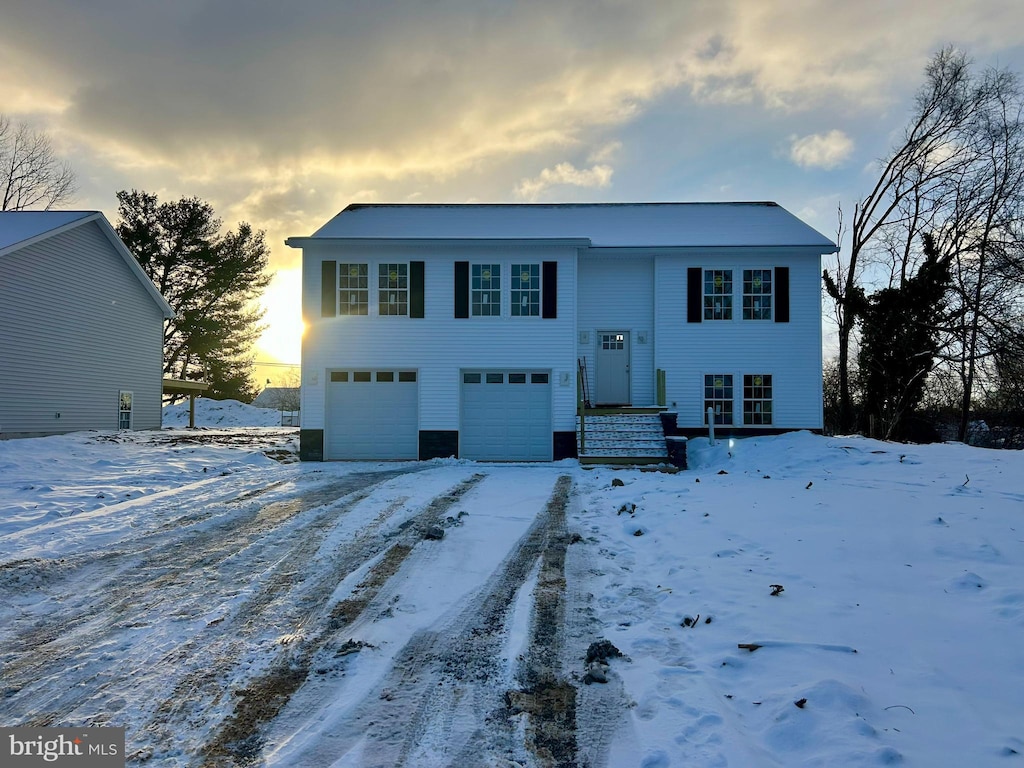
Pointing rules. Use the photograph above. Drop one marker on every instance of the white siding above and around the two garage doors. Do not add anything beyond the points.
(440, 346)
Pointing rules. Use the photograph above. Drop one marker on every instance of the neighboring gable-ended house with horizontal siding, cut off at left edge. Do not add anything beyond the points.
(81, 328)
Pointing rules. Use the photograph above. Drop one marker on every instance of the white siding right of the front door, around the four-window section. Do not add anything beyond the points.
(790, 353)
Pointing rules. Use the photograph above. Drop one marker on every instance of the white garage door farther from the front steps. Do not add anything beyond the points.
(372, 415)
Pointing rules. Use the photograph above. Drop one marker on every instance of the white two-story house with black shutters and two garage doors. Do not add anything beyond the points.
(458, 330)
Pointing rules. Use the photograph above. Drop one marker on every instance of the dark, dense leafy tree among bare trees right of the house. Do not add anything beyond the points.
(900, 342)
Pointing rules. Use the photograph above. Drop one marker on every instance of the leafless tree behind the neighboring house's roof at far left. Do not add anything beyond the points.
(31, 175)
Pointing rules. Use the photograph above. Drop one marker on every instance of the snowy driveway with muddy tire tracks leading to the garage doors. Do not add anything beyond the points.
(298, 615)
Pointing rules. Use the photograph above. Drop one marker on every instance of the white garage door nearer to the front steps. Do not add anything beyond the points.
(506, 416)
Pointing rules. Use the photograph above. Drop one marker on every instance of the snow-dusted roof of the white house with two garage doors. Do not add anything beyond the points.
(604, 225)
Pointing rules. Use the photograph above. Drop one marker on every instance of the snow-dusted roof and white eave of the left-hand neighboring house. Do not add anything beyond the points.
(22, 229)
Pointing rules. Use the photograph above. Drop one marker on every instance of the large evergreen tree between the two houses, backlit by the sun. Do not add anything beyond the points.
(211, 280)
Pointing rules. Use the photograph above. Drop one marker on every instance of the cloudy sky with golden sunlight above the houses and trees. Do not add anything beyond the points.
(283, 113)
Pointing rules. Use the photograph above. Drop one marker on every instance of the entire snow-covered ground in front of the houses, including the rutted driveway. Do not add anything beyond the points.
(788, 602)
